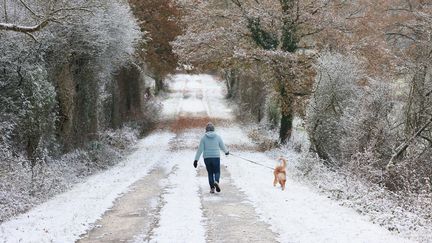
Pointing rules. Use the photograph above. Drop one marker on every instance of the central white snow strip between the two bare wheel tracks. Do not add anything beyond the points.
(181, 217)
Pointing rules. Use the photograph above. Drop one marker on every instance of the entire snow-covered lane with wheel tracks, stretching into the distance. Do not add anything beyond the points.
(157, 196)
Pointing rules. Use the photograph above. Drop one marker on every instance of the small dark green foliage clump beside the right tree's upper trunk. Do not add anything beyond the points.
(262, 38)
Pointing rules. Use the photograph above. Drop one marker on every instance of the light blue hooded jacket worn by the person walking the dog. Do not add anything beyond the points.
(210, 145)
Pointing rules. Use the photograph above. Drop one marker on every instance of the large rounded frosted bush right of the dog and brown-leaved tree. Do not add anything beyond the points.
(348, 113)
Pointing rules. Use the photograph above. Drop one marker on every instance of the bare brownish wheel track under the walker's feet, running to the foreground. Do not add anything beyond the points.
(229, 216)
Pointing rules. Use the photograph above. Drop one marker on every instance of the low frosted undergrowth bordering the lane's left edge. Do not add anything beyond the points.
(22, 187)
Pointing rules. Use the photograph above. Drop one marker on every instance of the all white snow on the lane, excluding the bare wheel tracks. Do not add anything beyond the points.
(295, 215)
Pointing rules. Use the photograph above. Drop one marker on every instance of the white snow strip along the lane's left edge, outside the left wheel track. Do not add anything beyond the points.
(65, 217)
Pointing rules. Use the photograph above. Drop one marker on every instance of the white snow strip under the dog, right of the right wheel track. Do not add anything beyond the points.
(298, 214)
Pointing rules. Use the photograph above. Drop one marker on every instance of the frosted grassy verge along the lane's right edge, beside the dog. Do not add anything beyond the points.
(407, 215)
